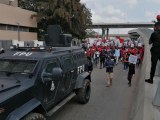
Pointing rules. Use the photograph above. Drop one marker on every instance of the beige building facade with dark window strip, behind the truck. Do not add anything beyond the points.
(16, 23)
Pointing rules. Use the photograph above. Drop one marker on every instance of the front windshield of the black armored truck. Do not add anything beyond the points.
(20, 66)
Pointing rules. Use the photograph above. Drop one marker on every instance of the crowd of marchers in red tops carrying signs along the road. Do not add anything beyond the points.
(110, 55)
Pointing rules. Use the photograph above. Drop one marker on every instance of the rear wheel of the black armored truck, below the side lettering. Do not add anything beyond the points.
(83, 94)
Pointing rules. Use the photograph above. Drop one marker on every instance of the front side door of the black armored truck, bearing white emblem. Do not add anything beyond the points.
(51, 85)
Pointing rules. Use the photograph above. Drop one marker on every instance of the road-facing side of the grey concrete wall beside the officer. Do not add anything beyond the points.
(138, 108)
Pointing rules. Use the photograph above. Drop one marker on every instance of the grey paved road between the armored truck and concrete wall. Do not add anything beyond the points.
(113, 103)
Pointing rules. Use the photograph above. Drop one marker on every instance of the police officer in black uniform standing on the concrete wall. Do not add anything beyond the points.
(155, 50)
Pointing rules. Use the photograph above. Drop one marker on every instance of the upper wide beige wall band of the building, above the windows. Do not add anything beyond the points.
(15, 15)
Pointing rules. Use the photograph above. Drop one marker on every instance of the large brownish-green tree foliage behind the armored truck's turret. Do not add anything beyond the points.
(72, 15)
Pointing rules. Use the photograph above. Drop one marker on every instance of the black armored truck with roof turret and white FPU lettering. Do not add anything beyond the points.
(36, 81)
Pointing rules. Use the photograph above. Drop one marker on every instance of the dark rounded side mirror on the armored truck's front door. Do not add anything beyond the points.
(57, 73)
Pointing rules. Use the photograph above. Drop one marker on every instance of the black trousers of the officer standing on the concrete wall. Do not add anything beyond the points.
(155, 56)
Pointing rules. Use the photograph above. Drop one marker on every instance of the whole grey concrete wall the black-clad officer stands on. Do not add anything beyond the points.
(143, 107)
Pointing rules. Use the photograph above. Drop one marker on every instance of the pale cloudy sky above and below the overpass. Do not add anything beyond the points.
(121, 11)
